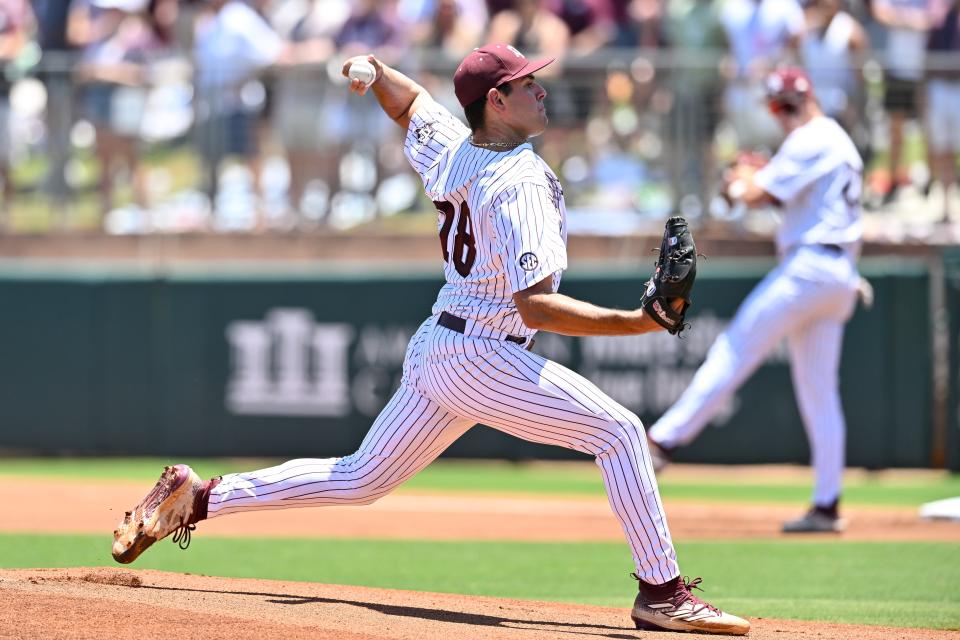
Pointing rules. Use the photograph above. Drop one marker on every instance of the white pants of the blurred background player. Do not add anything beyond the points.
(807, 299)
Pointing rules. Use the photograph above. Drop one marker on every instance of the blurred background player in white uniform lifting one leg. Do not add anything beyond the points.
(816, 178)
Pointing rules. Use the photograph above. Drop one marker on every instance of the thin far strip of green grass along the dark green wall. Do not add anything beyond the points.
(573, 479)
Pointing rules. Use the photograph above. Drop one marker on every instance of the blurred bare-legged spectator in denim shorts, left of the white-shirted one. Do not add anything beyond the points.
(120, 41)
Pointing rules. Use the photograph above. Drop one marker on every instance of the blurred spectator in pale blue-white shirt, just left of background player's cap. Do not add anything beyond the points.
(762, 34)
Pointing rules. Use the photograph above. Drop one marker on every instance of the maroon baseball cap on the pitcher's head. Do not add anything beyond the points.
(490, 66)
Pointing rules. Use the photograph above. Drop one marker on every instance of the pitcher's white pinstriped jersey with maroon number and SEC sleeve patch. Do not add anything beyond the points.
(501, 221)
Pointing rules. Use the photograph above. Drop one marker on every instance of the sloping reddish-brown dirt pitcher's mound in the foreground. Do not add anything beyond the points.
(121, 603)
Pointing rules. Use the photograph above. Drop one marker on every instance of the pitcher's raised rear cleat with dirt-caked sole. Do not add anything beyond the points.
(171, 506)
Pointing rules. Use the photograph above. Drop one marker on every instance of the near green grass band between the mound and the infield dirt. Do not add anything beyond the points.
(898, 584)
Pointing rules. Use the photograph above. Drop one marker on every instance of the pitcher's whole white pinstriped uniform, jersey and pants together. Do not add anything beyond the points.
(502, 229)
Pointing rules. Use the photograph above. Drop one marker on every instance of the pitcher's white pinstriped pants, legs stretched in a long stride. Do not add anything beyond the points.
(451, 382)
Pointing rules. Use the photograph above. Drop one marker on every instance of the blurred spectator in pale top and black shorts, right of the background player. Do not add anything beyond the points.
(907, 23)
